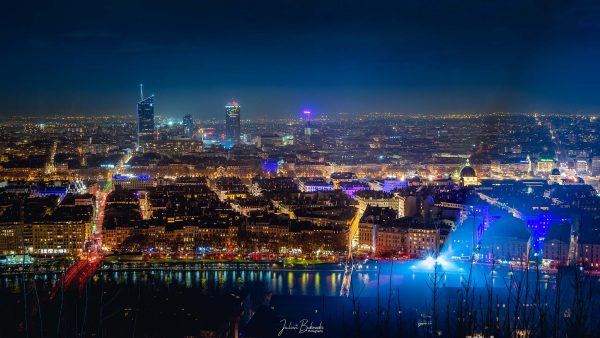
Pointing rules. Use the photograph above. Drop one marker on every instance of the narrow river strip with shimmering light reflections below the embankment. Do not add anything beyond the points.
(314, 282)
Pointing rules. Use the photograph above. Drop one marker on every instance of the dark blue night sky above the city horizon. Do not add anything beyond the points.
(278, 57)
